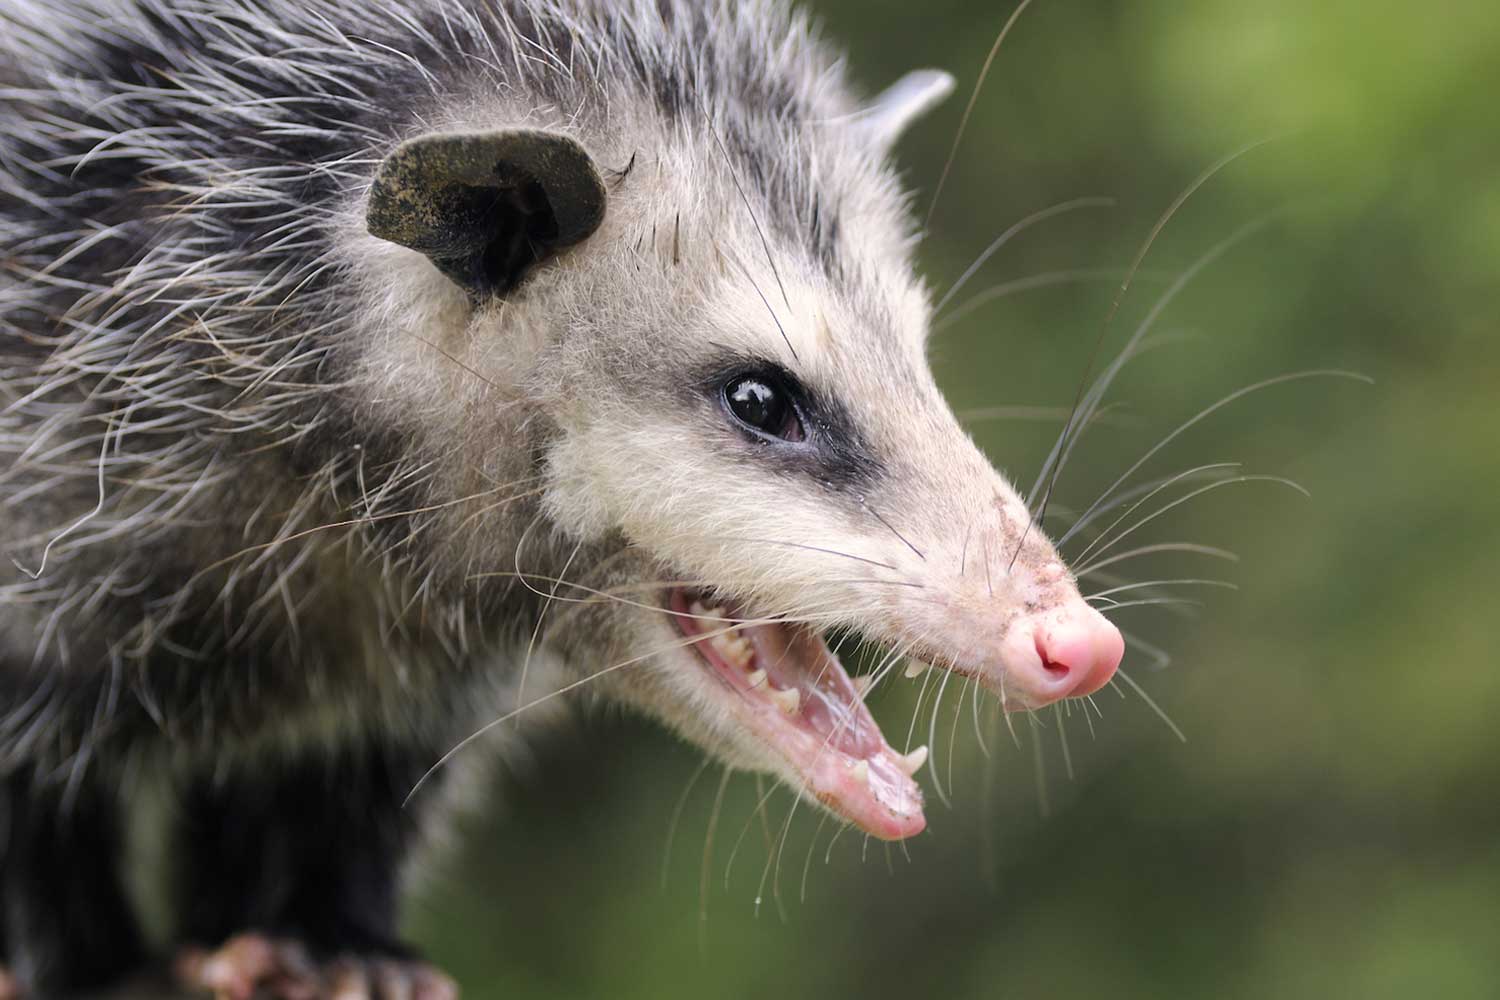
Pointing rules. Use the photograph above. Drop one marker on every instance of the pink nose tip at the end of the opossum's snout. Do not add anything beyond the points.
(1067, 653)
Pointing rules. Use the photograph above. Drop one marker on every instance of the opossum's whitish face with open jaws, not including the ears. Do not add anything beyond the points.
(791, 469)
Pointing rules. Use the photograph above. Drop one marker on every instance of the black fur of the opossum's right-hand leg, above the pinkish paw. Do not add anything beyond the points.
(308, 851)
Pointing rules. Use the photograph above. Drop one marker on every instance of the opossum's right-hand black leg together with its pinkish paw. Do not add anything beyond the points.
(289, 881)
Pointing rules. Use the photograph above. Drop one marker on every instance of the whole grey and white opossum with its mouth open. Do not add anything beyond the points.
(371, 373)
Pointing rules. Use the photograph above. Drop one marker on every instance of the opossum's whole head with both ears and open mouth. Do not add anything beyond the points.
(737, 430)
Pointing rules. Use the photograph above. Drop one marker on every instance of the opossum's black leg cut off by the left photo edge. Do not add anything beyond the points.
(67, 924)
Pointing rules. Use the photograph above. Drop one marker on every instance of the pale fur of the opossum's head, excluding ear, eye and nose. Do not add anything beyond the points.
(605, 370)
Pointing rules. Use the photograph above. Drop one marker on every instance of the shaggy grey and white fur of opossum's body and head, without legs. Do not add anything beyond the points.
(271, 485)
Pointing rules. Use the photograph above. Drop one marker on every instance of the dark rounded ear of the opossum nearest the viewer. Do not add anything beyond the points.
(487, 206)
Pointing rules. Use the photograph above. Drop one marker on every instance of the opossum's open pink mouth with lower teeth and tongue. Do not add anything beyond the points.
(796, 696)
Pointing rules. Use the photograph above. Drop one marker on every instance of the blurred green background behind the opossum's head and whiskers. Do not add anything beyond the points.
(1333, 821)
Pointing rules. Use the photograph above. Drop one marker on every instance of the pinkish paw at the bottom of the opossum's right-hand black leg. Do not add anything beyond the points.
(259, 968)
